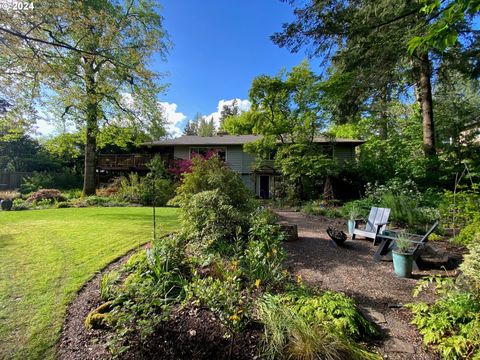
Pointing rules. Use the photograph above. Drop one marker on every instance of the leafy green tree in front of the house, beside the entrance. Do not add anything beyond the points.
(287, 111)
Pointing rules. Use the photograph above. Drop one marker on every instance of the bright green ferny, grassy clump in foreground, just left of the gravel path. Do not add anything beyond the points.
(310, 326)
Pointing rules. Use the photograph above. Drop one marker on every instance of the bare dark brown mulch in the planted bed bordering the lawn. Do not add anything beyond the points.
(189, 333)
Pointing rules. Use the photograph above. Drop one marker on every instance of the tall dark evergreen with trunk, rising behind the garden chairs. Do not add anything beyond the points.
(366, 44)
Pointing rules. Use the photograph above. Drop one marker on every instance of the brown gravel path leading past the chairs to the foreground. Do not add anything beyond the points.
(351, 269)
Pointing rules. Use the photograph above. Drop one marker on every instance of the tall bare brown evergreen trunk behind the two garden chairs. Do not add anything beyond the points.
(426, 109)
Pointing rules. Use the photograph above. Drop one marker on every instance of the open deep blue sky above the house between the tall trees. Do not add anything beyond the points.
(219, 47)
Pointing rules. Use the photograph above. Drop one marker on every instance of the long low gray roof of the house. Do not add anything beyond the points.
(235, 140)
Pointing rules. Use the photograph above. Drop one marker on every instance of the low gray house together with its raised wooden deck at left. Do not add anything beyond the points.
(258, 177)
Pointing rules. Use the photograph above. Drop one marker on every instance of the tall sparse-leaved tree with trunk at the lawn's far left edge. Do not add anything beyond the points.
(90, 57)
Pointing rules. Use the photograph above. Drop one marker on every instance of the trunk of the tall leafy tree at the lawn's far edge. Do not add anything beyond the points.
(89, 182)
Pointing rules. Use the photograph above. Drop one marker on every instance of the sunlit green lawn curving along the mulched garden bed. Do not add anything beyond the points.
(45, 258)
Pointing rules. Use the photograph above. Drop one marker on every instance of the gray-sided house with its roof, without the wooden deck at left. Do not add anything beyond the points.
(259, 178)
